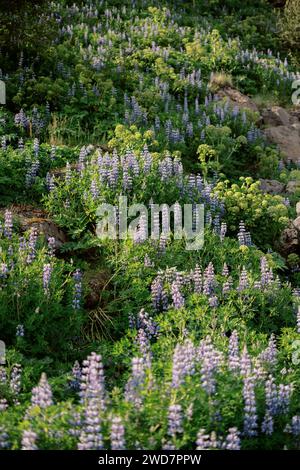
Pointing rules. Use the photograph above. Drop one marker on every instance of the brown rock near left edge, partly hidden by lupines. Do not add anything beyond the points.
(29, 216)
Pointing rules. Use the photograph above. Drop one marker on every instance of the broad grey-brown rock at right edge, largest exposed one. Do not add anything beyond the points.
(287, 138)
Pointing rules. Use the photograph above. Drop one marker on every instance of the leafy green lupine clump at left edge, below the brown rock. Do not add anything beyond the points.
(51, 324)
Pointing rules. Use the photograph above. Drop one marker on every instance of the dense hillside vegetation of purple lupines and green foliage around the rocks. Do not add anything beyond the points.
(140, 343)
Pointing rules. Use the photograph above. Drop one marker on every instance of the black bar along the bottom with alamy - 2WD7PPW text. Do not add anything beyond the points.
(135, 459)
